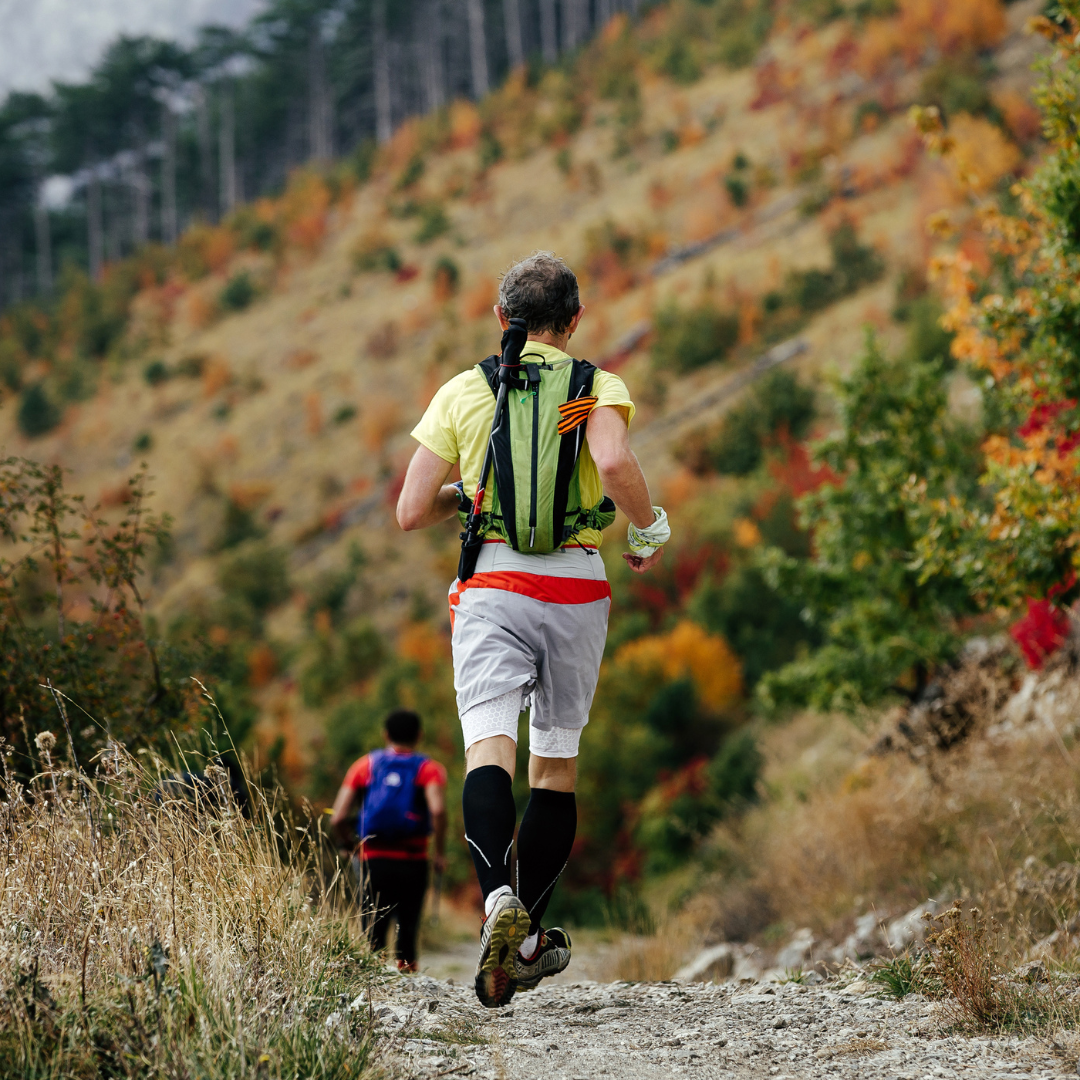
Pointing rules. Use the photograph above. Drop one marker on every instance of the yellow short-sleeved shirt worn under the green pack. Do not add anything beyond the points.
(458, 422)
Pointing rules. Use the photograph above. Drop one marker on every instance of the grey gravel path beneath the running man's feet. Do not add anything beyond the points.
(651, 1031)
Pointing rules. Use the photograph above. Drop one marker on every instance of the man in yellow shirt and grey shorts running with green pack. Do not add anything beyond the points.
(530, 624)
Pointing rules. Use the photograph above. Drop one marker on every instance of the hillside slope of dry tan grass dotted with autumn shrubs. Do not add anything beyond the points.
(289, 421)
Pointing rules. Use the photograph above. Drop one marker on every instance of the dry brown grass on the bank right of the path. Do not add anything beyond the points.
(889, 832)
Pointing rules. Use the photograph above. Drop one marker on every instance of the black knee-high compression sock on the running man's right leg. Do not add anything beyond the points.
(544, 847)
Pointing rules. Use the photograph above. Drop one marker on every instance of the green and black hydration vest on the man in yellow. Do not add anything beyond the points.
(537, 496)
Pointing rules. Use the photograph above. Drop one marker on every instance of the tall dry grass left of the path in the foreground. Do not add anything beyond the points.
(151, 930)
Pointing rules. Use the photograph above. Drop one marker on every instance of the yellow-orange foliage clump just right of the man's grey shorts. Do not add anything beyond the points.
(690, 652)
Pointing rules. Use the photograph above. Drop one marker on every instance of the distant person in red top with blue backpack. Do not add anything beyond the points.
(390, 802)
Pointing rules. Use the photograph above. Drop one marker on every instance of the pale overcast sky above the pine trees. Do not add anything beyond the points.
(42, 40)
